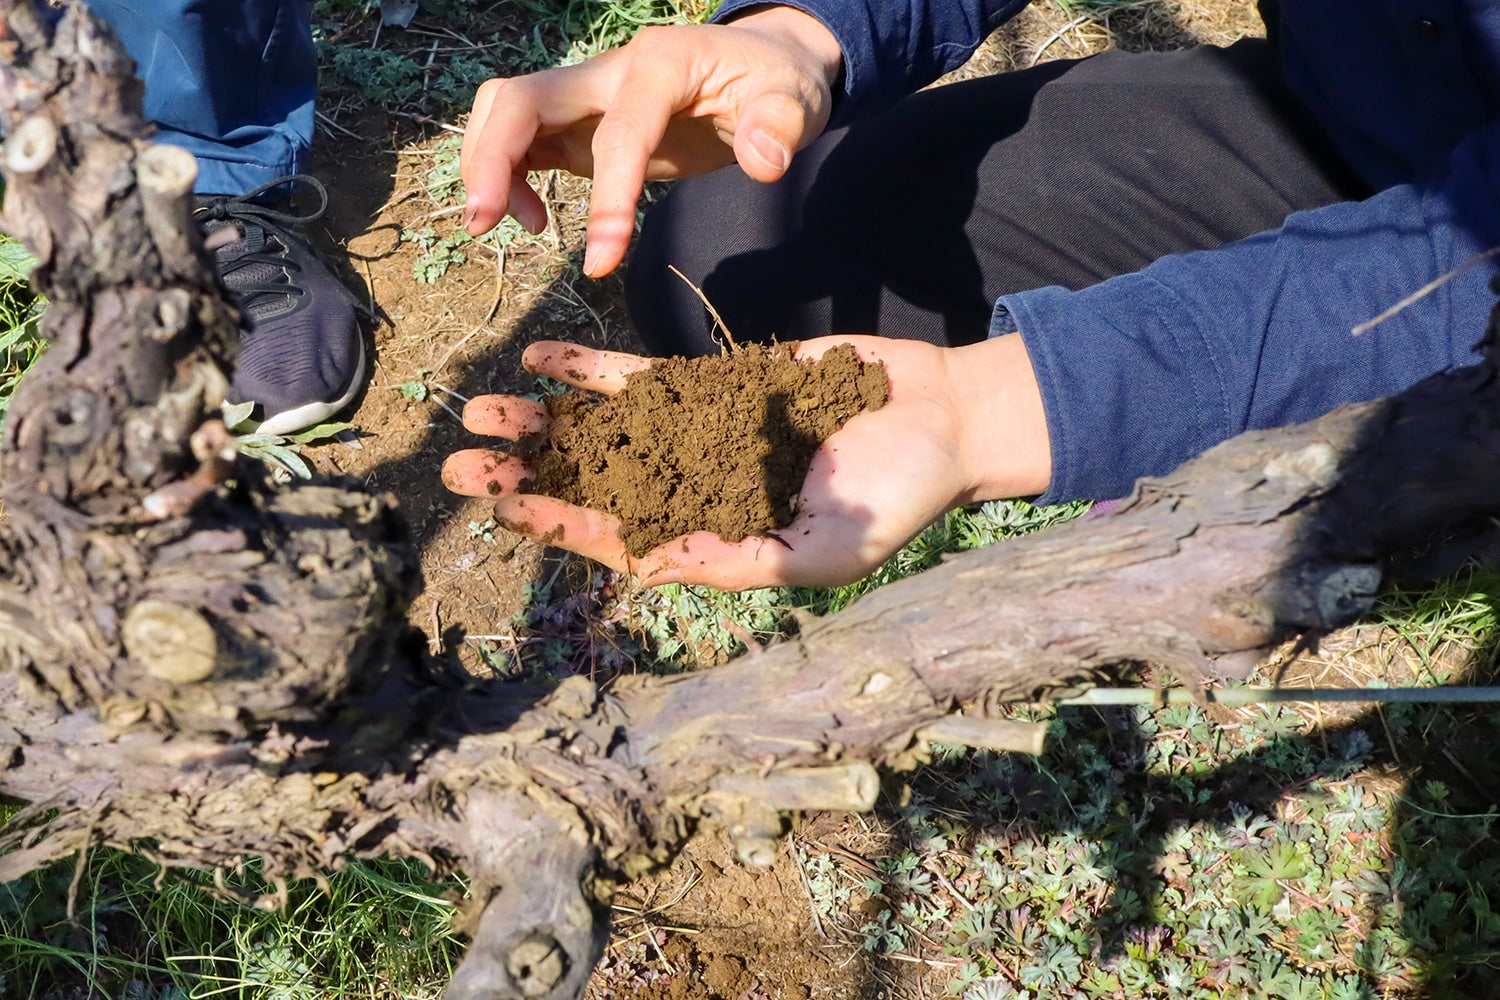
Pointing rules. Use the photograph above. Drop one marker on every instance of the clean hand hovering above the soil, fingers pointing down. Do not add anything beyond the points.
(676, 101)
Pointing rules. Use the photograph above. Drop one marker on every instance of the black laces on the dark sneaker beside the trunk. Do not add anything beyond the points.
(266, 266)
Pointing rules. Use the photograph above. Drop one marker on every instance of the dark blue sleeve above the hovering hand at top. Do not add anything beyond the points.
(895, 47)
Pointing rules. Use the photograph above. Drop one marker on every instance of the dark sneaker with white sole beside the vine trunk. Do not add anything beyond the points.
(302, 359)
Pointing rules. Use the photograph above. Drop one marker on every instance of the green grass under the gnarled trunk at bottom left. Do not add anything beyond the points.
(380, 930)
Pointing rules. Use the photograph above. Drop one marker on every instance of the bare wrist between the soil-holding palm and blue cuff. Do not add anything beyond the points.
(1003, 443)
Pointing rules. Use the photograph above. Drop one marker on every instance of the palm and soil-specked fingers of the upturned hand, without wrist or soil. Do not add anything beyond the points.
(869, 490)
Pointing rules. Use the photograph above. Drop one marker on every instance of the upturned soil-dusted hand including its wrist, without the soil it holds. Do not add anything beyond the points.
(871, 488)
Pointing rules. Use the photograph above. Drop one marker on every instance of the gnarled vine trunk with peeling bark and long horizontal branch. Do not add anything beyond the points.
(202, 666)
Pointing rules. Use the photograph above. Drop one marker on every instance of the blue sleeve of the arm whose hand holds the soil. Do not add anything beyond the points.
(1145, 371)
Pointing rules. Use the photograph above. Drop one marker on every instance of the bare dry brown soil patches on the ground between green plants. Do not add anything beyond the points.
(707, 929)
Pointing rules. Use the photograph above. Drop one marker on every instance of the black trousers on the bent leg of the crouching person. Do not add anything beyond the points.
(914, 221)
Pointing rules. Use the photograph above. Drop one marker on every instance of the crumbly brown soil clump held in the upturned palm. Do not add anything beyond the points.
(703, 445)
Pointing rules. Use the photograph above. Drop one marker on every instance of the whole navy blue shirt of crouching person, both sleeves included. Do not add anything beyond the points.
(1145, 371)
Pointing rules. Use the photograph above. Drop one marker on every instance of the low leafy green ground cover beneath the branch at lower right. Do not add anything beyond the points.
(1157, 855)
